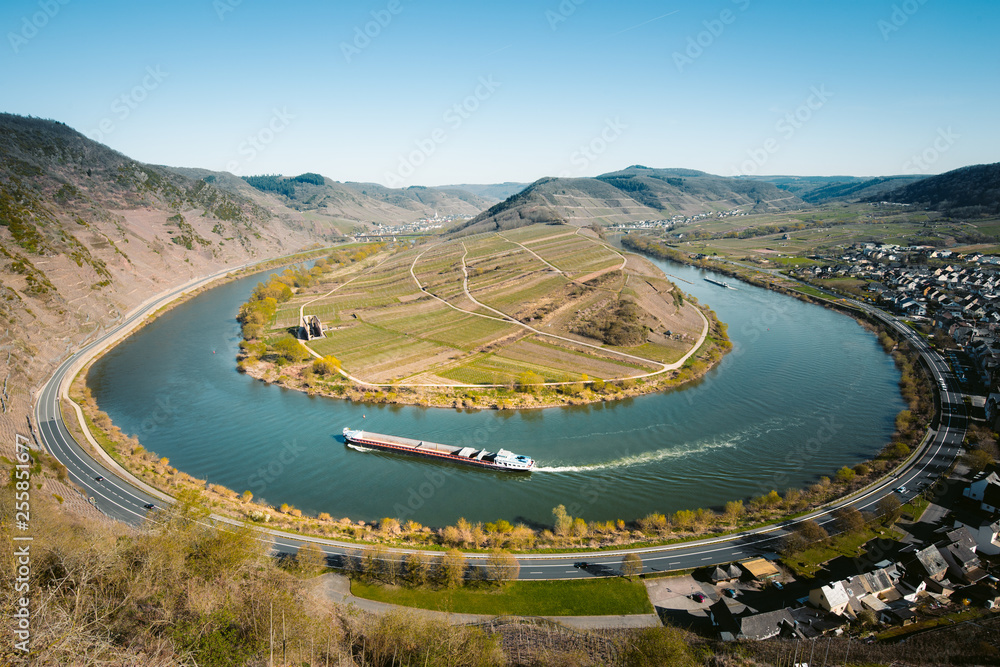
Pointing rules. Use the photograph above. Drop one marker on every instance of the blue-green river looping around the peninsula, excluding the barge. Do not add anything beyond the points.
(804, 391)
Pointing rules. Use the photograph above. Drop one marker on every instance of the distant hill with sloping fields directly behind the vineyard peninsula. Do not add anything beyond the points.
(636, 193)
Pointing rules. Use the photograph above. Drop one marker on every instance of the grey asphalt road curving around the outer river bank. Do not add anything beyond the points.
(121, 496)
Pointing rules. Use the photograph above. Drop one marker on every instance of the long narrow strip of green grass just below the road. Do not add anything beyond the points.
(597, 597)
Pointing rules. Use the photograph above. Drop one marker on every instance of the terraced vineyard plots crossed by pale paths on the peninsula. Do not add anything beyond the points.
(493, 309)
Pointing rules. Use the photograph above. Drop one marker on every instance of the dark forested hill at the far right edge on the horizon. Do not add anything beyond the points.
(969, 192)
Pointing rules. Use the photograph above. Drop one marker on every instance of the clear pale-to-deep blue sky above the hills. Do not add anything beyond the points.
(457, 92)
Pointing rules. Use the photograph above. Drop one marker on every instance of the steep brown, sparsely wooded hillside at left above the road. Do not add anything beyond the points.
(87, 233)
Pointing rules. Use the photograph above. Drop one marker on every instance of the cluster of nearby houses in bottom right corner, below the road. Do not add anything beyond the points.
(930, 571)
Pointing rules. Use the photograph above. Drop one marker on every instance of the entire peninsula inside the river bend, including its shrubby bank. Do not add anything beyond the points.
(539, 316)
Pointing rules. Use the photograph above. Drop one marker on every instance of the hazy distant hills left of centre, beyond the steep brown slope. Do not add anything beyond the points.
(350, 204)
